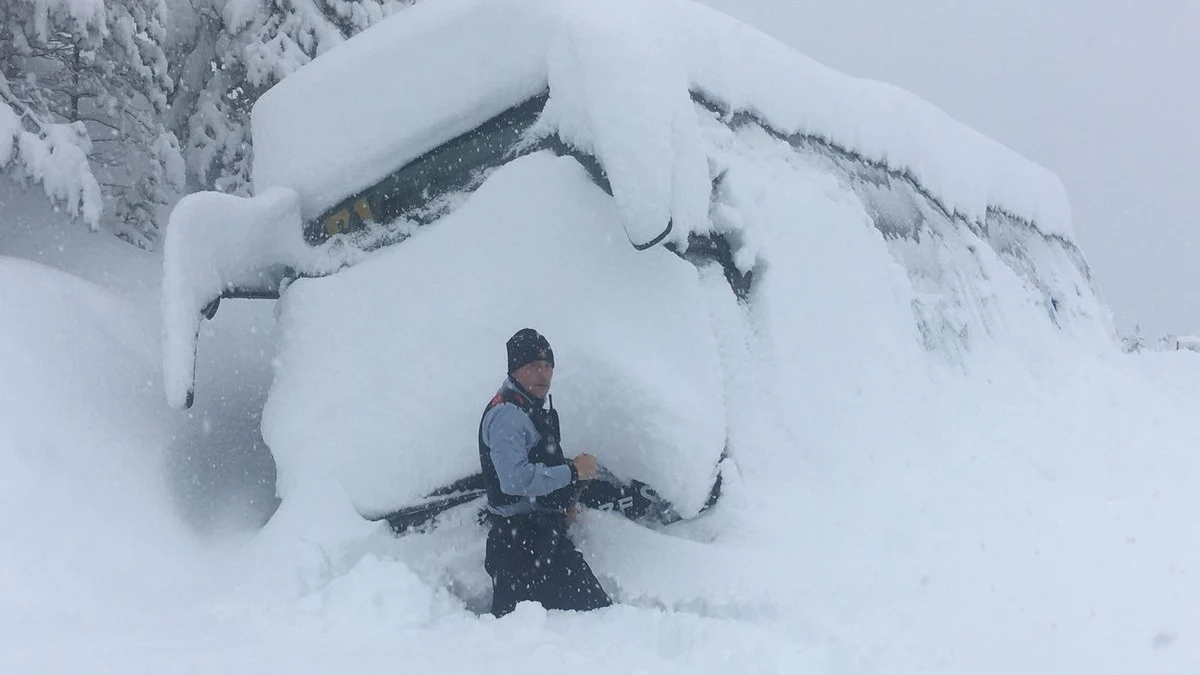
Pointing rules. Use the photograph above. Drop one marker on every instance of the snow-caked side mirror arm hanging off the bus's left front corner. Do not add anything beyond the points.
(217, 243)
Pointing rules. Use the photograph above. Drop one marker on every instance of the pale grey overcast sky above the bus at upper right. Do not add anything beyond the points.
(1105, 93)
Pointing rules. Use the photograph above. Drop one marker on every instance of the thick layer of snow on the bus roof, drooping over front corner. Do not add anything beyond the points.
(361, 111)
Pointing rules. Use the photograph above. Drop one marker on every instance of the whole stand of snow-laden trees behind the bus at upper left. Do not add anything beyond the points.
(91, 110)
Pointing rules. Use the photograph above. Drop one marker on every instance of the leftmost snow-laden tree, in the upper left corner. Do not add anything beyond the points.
(87, 82)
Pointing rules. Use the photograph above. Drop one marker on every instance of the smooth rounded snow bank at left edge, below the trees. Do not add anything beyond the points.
(86, 521)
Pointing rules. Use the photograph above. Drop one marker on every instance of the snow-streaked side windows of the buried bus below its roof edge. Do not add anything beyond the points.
(965, 292)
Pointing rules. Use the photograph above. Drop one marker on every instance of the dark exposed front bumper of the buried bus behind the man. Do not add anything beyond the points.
(637, 501)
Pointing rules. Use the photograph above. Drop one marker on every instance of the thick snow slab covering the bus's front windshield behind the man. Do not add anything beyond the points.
(385, 369)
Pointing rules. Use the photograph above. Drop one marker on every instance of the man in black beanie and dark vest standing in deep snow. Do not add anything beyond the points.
(531, 489)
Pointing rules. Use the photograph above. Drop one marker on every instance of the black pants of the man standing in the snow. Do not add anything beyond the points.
(530, 558)
